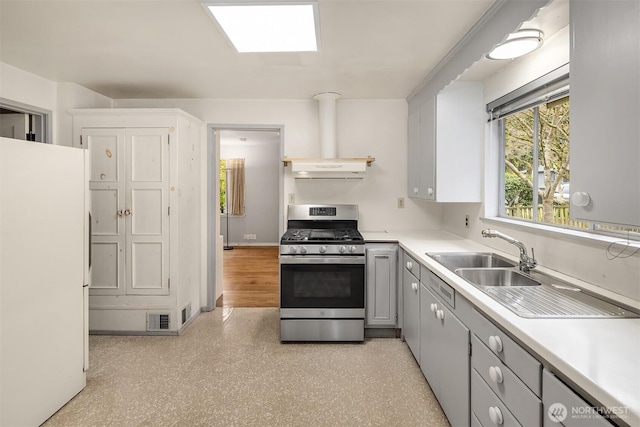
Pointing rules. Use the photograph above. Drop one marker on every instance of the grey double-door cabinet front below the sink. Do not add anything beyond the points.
(444, 352)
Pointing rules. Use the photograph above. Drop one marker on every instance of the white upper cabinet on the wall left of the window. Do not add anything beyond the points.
(446, 144)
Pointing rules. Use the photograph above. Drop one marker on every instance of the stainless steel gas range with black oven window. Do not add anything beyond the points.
(322, 274)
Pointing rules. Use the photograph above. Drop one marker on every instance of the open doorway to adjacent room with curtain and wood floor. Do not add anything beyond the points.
(245, 211)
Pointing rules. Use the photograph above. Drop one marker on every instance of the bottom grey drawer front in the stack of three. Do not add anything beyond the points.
(485, 405)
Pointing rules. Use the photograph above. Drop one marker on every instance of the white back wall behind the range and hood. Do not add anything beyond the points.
(364, 127)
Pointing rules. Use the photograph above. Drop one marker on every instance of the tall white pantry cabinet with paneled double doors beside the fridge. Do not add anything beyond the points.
(145, 209)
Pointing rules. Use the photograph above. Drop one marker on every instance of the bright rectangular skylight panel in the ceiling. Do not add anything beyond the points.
(268, 27)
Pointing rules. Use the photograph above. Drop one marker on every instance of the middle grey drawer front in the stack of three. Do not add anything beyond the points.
(521, 401)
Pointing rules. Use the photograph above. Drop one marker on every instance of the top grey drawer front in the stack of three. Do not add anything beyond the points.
(525, 366)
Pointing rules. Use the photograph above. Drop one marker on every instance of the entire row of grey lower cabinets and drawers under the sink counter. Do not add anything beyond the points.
(480, 375)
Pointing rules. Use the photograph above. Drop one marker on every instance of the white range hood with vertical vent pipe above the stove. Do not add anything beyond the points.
(329, 165)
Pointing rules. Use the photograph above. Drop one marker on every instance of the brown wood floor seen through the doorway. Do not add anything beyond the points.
(251, 277)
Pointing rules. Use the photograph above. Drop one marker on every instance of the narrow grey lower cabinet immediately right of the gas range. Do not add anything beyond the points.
(382, 273)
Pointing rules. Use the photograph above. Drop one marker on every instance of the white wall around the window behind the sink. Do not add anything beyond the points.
(581, 258)
